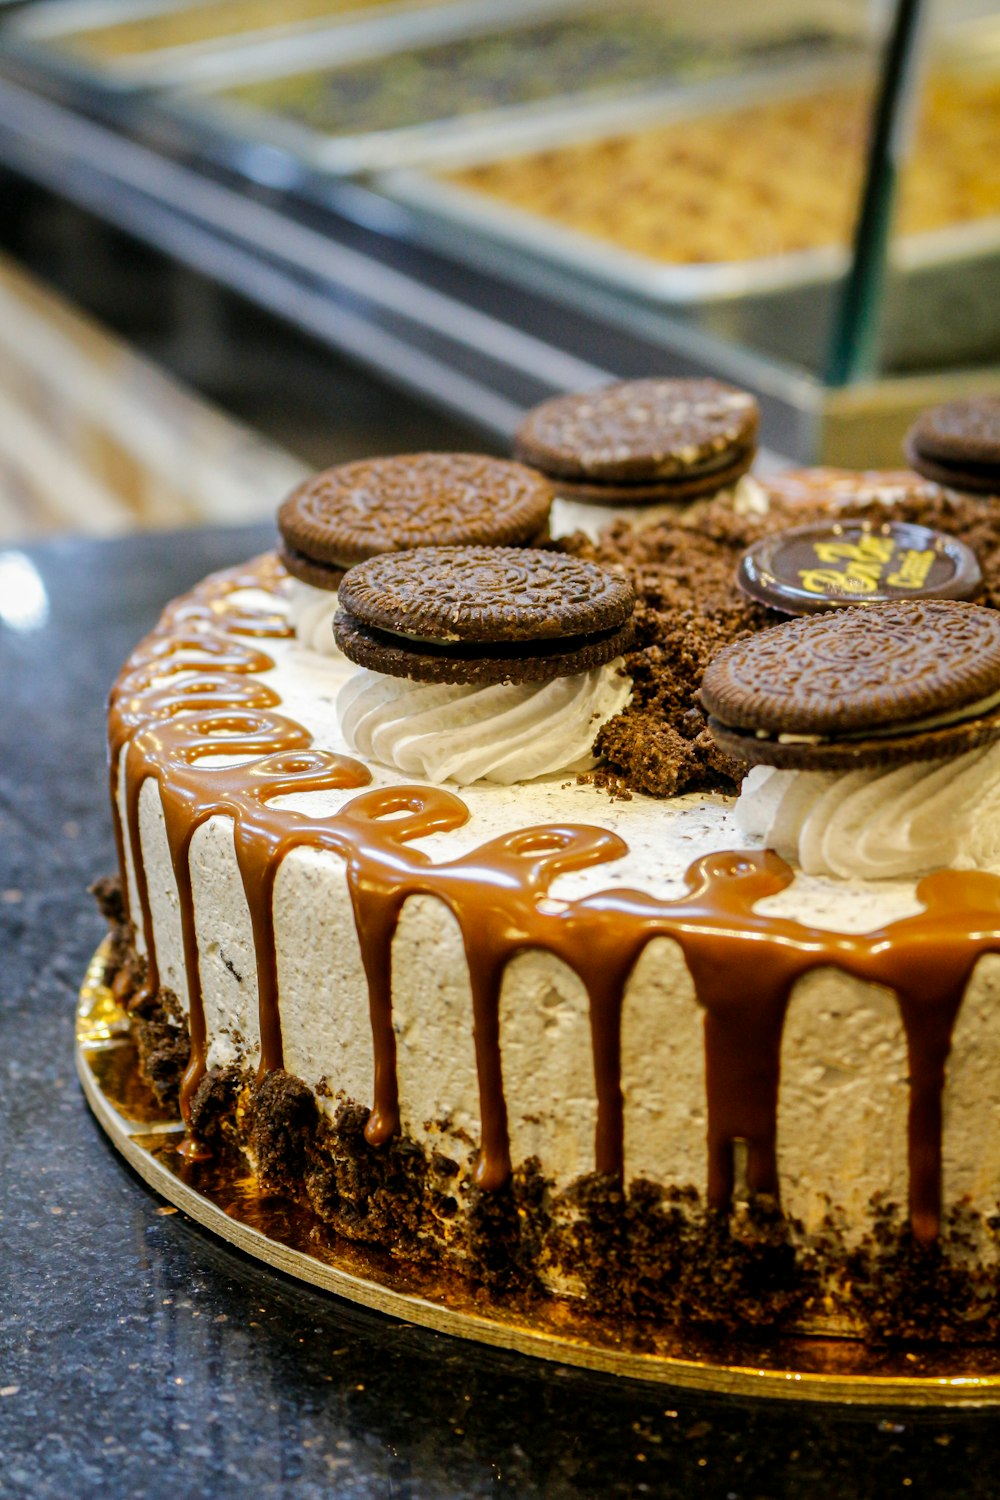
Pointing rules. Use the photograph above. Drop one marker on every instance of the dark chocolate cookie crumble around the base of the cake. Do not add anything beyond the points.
(648, 1256)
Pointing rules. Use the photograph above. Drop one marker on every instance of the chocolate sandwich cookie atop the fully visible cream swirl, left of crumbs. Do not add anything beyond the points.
(482, 616)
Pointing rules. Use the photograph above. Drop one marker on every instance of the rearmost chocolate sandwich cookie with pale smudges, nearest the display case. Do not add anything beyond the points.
(642, 442)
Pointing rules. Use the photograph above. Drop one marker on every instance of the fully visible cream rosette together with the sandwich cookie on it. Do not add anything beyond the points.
(482, 664)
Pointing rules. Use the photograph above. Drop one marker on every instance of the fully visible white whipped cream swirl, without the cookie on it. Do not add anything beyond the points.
(501, 733)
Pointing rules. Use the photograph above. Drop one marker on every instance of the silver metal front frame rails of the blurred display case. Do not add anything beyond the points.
(359, 274)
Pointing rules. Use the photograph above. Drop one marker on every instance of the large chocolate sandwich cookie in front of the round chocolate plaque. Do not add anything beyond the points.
(857, 688)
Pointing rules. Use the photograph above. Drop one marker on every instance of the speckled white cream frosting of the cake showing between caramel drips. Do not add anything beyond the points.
(843, 1105)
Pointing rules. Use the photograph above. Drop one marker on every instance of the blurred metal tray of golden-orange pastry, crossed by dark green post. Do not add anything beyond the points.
(761, 259)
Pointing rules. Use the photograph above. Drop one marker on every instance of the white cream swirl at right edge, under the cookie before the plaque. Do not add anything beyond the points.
(879, 824)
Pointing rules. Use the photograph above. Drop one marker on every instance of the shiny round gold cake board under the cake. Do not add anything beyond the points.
(227, 1201)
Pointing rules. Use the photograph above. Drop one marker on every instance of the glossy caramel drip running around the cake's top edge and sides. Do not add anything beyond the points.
(188, 698)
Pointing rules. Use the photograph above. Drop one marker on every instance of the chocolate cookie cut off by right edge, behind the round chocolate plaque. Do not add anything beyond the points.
(959, 445)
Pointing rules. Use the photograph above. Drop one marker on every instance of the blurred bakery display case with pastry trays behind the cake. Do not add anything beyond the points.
(488, 209)
